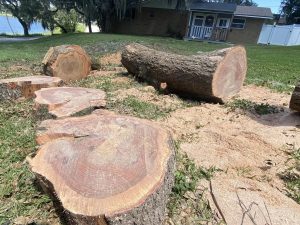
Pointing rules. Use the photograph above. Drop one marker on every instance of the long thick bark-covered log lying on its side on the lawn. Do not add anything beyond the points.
(211, 76)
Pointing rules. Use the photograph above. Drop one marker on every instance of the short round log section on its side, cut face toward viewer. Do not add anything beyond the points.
(69, 62)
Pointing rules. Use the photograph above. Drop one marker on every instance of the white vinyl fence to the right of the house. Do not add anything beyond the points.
(287, 35)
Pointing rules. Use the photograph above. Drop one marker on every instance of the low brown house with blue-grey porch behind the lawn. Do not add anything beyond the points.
(202, 21)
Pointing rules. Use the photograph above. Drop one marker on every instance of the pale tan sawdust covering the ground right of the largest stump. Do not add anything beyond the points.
(247, 144)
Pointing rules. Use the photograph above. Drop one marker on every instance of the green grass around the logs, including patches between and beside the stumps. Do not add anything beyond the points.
(274, 67)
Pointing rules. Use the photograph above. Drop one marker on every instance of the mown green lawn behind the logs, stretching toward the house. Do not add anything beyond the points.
(273, 66)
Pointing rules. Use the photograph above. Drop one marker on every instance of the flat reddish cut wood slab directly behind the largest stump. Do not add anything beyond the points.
(67, 101)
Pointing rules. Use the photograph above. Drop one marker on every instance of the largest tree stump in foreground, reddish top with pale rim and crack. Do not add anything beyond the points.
(106, 169)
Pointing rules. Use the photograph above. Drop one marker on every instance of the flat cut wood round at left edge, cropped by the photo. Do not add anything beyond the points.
(14, 88)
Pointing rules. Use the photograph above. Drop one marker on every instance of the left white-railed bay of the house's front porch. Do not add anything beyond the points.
(202, 26)
